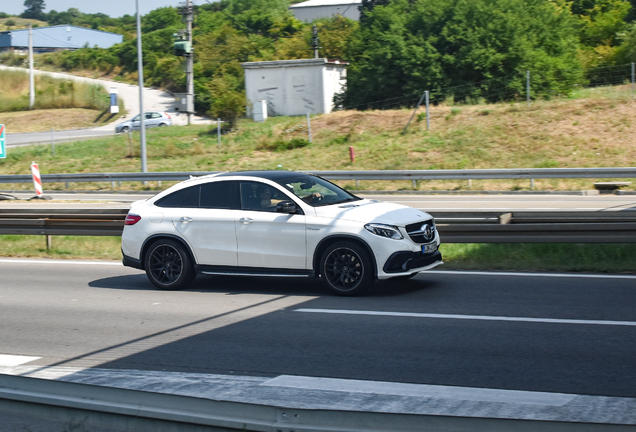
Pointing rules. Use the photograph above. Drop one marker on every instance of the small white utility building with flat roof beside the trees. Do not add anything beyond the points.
(294, 87)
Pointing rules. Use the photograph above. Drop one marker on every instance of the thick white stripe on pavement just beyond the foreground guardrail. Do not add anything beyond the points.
(420, 390)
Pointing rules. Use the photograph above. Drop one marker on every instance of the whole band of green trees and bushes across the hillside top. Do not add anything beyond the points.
(398, 47)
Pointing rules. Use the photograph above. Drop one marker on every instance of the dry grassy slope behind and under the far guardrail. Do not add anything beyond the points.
(591, 132)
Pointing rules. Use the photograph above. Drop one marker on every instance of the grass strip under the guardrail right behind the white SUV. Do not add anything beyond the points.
(577, 258)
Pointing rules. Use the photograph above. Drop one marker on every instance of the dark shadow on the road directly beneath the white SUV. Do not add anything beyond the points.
(259, 285)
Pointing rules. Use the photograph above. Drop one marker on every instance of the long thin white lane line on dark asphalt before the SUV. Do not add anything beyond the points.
(468, 317)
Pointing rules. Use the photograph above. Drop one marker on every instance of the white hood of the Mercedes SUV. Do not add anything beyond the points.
(367, 211)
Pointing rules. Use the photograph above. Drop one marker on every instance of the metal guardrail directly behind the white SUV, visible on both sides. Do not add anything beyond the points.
(454, 227)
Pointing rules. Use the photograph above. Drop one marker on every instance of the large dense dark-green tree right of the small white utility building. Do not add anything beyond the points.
(404, 47)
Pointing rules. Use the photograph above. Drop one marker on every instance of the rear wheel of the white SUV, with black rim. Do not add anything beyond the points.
(168, 265)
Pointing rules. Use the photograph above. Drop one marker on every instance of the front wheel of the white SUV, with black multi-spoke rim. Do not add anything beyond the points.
(346, 269)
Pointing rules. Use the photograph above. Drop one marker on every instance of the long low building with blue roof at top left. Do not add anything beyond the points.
(55, 38)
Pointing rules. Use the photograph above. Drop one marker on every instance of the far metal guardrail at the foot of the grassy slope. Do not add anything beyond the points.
(414, 175)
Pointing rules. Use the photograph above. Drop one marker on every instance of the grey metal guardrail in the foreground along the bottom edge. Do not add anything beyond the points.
(126, 409)
